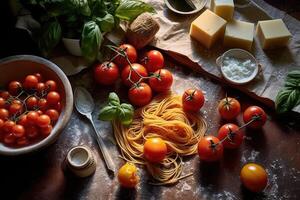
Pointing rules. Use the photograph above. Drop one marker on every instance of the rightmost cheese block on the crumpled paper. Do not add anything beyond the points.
(272, 33)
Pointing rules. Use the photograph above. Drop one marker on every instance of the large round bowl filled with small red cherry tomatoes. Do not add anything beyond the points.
(36, 103)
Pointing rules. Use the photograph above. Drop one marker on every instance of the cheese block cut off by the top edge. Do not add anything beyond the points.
(223, 8)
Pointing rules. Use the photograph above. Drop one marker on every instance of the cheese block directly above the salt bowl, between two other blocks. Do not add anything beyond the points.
(239, 34)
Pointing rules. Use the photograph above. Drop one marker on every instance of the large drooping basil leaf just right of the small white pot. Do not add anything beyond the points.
(91, 39)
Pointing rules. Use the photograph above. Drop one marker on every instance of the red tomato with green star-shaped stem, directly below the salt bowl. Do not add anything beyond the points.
(229, 108)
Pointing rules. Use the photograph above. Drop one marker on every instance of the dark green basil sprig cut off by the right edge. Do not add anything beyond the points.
(289, 96)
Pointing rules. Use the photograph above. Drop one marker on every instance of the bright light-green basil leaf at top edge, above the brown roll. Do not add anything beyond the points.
(130, 9)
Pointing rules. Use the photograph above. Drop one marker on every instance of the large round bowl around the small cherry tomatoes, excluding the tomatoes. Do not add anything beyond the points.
(16, 68)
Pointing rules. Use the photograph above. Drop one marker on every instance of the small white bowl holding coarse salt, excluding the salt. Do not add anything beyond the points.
(243, 55)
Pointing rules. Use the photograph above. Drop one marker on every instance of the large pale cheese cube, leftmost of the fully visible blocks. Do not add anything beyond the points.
(208, 28)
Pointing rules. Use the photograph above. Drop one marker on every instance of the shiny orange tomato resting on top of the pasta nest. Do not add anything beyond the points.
(155, 149)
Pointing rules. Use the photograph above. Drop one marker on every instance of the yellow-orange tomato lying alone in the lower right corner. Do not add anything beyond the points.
(254, 177)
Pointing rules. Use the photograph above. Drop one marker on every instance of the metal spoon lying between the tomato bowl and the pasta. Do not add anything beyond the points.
(84, 104)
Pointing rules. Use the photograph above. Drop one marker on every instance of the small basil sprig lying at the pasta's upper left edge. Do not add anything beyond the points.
(115, 110)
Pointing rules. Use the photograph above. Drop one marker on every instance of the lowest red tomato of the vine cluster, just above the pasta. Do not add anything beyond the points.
(140, 95)
